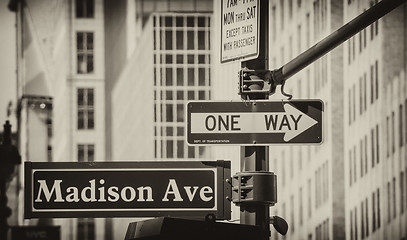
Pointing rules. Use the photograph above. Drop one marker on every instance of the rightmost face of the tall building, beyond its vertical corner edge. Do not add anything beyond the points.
(375, 126)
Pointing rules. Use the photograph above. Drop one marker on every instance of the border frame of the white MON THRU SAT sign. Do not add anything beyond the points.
(244, 56)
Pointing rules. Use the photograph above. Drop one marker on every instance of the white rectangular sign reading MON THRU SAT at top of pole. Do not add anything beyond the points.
(240, 30)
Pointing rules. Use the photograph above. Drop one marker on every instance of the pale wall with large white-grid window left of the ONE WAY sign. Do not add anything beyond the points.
(170, 65)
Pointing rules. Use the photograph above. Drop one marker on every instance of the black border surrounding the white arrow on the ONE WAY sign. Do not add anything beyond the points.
(315, 106)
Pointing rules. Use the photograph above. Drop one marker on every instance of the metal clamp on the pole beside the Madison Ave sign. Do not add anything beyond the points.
(254, 187)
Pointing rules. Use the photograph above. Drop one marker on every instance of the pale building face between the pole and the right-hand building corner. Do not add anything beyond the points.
(310, 178)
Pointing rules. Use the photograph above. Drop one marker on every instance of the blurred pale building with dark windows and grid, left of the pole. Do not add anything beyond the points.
(75, 104)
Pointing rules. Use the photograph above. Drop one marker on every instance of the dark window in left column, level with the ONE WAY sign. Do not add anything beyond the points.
(86, 108)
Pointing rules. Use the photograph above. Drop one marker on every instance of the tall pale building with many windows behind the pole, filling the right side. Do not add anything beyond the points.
(353, 186)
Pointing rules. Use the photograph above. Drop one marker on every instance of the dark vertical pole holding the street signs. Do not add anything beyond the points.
(255, 158)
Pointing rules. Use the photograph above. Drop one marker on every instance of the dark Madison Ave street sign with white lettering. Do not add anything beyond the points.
(127, 189)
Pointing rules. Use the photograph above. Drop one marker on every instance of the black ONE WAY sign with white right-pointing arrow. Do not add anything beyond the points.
(254, 122)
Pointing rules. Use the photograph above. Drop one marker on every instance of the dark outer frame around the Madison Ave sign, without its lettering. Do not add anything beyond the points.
(222, 168)
